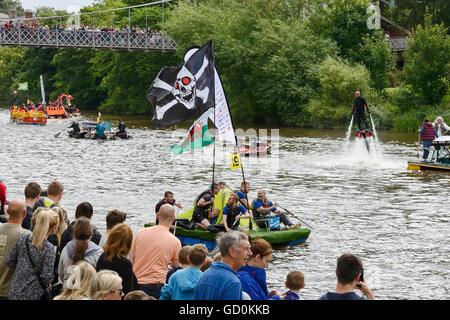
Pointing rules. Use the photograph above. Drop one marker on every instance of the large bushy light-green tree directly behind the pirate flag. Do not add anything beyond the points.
(265, 60)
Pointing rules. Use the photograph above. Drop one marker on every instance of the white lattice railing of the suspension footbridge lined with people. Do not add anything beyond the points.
(115, 40)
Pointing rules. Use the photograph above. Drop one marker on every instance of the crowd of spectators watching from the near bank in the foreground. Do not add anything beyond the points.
(44, 255)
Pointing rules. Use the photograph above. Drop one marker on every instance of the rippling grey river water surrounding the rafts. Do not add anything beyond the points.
(370, 205)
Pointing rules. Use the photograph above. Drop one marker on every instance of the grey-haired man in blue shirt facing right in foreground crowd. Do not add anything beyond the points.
(220, 281)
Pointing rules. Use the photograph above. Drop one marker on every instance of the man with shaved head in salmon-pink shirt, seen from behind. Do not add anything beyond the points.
(152, 250)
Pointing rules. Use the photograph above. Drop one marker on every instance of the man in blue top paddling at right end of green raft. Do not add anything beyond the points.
(262, 207)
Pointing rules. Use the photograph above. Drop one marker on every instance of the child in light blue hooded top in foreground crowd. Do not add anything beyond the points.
(182, 284)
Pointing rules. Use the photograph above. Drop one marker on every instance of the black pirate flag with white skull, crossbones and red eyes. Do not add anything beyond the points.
(184, 92)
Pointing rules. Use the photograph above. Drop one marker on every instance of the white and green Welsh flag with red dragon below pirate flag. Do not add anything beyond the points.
(198, 135)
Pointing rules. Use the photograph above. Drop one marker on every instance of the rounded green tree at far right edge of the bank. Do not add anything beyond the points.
(427, 66)
